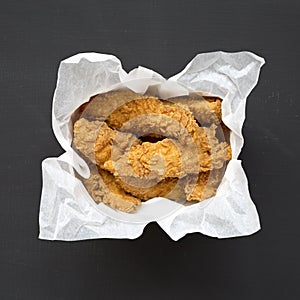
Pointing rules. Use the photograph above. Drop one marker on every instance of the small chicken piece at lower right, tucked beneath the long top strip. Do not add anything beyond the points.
(205, 186)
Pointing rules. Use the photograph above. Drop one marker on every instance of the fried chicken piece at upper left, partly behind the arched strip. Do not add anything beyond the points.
(101, 106)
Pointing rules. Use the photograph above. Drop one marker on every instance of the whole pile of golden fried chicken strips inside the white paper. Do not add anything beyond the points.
(174, 157)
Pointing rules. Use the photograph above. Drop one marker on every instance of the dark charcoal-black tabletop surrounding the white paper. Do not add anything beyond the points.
(164, 36)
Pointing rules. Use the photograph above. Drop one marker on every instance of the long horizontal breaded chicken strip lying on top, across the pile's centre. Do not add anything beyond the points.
(168, 158)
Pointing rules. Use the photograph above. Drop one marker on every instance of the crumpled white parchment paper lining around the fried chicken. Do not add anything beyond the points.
(67, 211)
